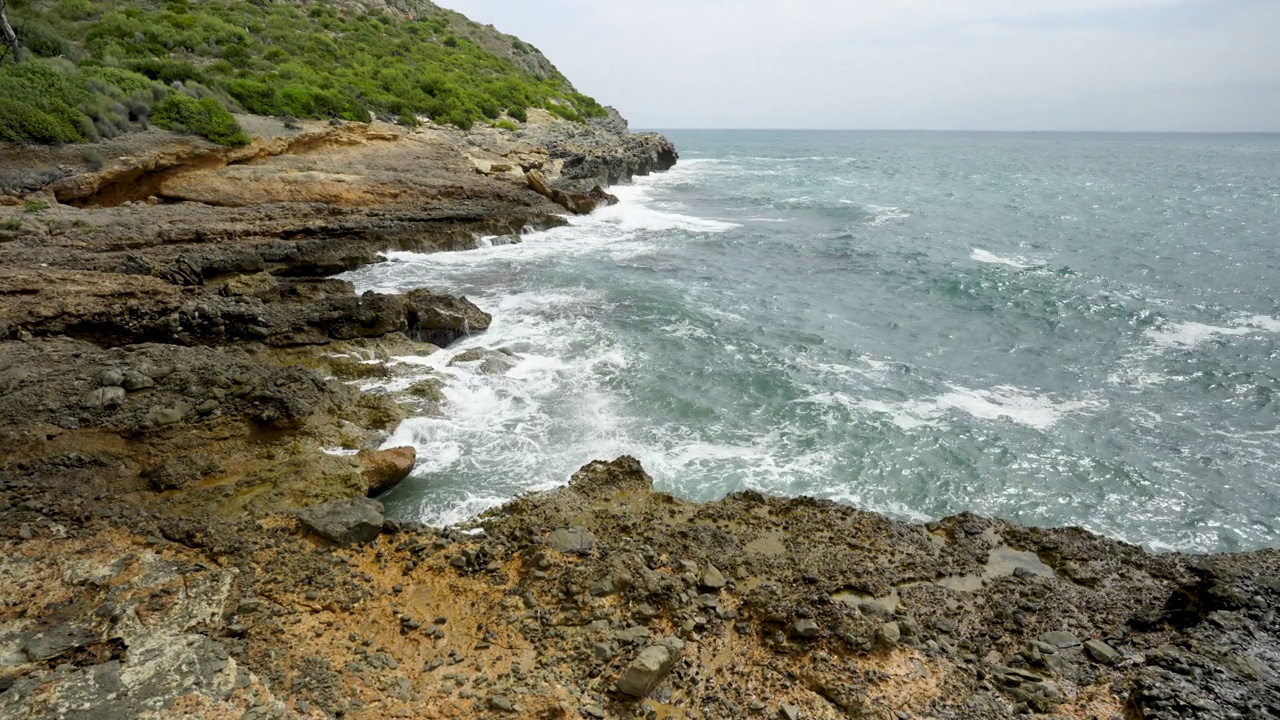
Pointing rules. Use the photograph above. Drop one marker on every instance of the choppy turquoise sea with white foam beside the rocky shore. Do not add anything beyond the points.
(1059, 330)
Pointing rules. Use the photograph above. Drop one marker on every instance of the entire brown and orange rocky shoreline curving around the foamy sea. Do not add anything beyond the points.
(181, 539)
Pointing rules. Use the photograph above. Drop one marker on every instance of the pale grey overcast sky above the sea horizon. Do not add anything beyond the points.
(915, 65)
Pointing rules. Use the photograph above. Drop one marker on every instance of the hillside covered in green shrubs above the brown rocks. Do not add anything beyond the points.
(94, 70)
